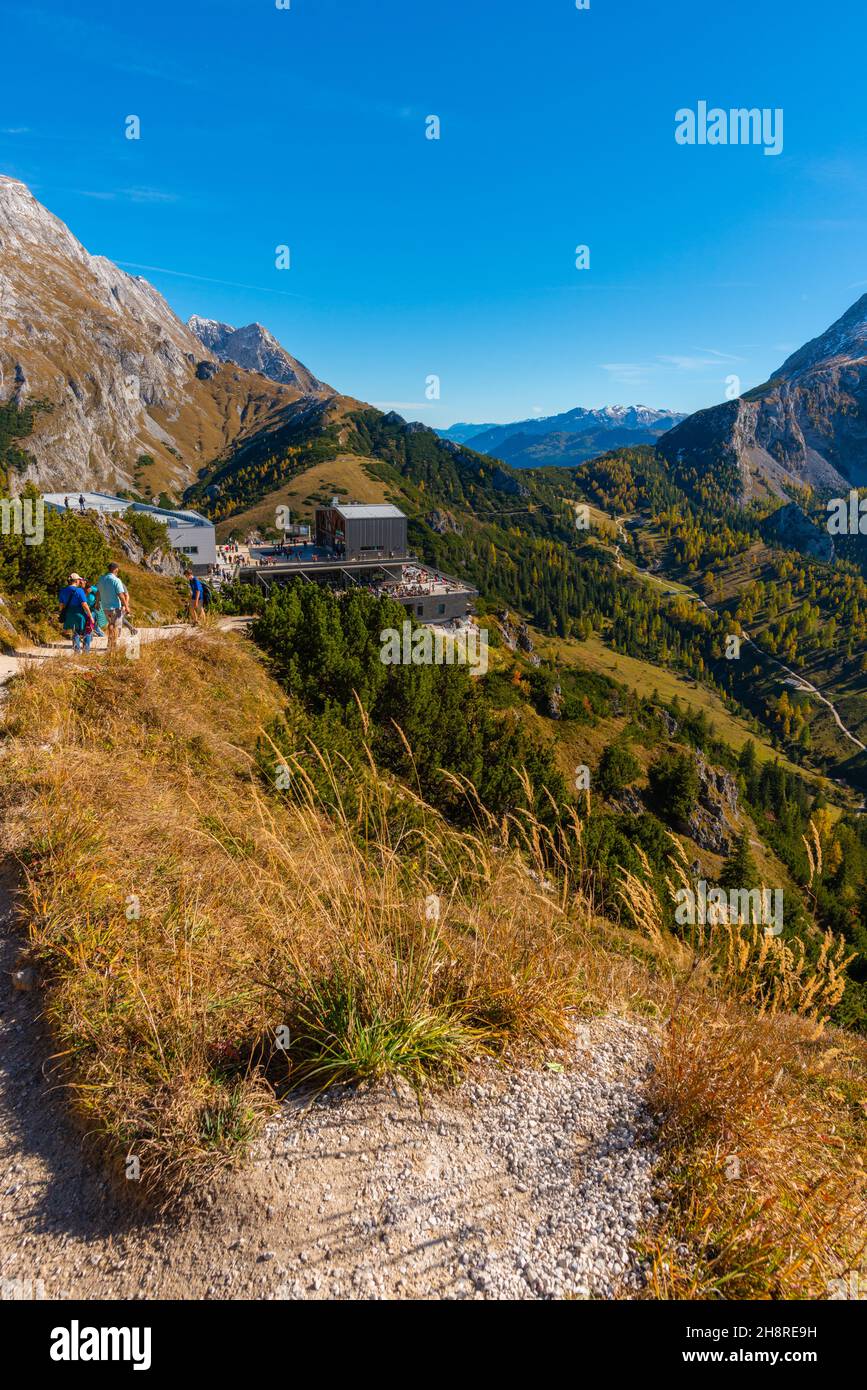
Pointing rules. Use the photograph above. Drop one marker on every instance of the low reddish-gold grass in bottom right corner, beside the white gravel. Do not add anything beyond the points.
(763, 1136)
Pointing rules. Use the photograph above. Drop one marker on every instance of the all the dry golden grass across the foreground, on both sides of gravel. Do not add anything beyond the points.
(205, 942)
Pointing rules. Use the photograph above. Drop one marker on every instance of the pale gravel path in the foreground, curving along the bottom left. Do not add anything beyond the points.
(518, 1185)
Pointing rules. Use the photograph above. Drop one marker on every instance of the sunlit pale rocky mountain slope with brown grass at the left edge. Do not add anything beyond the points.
(124, 382)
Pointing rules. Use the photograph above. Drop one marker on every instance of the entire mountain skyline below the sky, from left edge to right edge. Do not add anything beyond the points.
(133, 398)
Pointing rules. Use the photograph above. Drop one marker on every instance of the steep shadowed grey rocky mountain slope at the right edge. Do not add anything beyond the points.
(808, 425)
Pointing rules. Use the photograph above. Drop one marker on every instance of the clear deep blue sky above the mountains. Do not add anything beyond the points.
(456, 258)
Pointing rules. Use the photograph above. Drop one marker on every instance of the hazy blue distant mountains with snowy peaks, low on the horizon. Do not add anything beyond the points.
(566, 440)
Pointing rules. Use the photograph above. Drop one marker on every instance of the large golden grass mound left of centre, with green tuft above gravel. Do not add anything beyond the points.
(181, 915)
